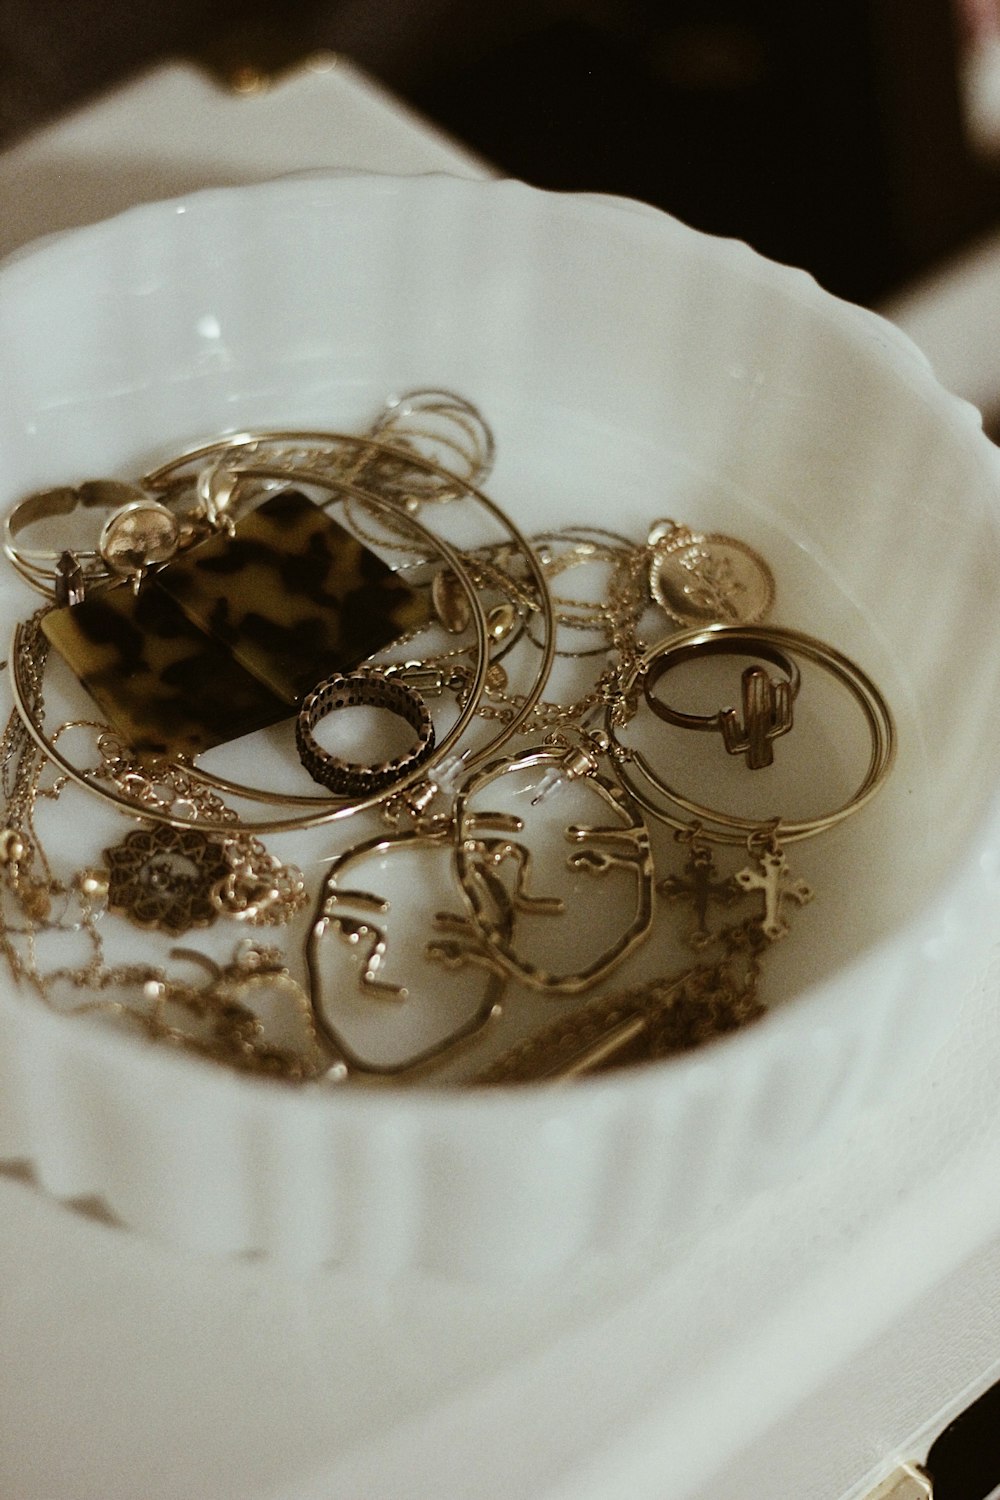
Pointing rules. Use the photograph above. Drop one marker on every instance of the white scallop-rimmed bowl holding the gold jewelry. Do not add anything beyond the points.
(632, 370)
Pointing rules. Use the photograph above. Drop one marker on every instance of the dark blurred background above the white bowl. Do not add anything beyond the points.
(830, 136)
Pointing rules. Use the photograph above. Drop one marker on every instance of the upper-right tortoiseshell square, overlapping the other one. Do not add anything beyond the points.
(293, 595)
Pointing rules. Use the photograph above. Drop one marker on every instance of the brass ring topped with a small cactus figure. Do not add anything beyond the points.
(767, 704)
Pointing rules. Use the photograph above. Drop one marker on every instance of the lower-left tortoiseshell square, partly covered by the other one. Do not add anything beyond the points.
(166, 686)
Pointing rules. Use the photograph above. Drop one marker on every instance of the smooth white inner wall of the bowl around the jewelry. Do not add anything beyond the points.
(630, 370)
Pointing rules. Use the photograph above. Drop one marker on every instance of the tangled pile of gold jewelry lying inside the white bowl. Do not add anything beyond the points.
(539, 730)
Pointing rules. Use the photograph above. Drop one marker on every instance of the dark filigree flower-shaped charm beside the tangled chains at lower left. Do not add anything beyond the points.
(166, 878)
